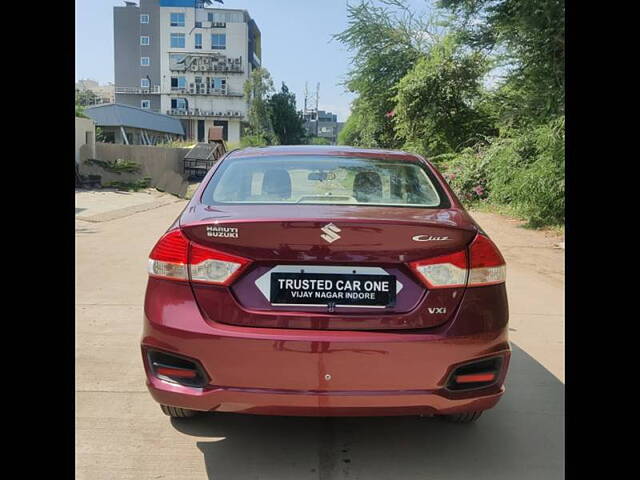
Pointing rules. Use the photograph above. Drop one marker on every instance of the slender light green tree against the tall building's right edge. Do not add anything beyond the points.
(257, 90)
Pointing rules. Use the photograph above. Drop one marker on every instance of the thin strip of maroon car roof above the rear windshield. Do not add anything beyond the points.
(333, 150)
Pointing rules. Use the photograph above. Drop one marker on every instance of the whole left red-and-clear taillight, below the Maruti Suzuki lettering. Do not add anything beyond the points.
(176, 258)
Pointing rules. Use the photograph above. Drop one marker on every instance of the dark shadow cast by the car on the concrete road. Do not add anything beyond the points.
(522, 437)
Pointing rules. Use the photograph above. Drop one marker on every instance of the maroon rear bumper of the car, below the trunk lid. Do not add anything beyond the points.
(279, 371)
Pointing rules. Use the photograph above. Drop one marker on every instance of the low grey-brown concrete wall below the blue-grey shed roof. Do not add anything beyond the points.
(164, 166)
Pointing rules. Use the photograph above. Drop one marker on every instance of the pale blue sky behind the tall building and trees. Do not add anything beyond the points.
(296, 44)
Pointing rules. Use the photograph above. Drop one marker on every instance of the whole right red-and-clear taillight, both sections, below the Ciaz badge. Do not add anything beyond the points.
(485, 266)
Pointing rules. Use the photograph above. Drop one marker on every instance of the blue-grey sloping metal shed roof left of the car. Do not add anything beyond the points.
(116, 115)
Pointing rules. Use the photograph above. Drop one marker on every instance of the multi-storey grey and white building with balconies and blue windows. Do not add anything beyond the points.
(184, 59)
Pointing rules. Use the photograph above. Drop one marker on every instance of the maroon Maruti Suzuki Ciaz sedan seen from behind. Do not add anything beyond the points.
(325, 281)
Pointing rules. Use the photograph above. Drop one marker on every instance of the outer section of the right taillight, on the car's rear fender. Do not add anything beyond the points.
(486, 264)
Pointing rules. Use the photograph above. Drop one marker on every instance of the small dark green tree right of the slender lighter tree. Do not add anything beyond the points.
(287, 122)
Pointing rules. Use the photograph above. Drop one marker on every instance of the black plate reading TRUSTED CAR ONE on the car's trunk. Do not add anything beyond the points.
(335, 289)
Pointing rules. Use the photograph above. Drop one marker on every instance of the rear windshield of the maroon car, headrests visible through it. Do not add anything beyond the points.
(322, 180)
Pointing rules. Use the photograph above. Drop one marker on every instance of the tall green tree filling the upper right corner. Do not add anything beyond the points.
(528, 37)
